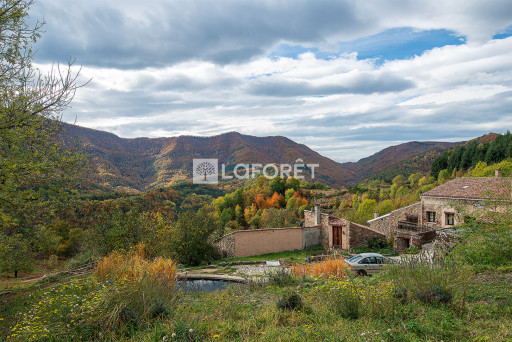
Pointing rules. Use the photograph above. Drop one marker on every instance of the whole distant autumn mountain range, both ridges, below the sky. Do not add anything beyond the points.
(144, 163)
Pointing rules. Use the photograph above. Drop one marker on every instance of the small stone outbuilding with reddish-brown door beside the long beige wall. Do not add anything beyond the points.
(337, 232)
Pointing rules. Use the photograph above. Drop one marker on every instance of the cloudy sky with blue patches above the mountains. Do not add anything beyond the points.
(346, 78)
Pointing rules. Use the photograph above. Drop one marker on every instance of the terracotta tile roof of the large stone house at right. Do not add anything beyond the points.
(473, 188)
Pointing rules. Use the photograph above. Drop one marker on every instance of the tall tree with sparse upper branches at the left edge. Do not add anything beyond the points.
(34, 168)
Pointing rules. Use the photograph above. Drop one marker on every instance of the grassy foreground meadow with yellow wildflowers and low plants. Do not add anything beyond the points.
(314, 309)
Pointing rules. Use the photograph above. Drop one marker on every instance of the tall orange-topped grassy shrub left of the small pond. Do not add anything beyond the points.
(138, 290)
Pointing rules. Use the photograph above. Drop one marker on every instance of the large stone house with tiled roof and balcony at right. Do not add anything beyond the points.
(442, 208)
